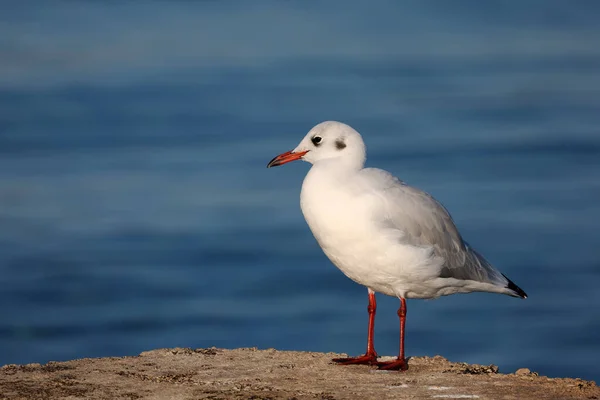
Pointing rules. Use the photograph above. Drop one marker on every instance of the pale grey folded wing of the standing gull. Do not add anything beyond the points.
(426, 222)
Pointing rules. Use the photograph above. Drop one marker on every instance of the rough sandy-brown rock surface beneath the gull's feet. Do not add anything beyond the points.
(270, 374)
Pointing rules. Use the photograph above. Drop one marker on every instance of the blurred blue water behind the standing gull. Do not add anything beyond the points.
(136, 211)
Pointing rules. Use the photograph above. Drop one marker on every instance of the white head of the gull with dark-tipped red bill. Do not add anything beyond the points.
(330, 140)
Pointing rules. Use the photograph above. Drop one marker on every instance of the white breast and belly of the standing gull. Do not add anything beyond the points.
(339, 212)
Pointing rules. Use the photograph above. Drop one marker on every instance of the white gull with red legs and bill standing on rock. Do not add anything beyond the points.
(380, 232)
